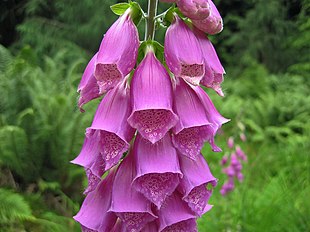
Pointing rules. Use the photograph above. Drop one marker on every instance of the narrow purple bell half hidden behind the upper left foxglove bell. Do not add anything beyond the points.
(88, 87)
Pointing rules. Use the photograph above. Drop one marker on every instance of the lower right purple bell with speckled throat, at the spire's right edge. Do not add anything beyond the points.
(194, 184)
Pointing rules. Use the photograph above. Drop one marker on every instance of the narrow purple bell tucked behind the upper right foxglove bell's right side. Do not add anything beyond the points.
(214, 71)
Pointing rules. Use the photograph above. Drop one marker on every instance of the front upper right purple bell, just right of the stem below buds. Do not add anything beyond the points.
(182, 52)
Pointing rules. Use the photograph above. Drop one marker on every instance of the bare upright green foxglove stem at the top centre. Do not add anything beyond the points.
(150, 21)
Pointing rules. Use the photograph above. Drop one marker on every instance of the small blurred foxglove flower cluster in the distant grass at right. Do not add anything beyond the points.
(234, 168)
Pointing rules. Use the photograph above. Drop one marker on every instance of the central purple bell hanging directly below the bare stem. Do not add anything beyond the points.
(151, 93)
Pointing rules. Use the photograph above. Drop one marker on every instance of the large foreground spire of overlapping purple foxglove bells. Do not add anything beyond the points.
(142, 153)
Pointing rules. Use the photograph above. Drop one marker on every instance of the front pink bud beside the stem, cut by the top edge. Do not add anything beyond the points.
(194, 9)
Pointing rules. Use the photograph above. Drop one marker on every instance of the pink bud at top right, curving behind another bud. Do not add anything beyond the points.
(212, 24)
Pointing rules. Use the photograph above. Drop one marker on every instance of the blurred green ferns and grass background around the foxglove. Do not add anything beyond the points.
(45, 46)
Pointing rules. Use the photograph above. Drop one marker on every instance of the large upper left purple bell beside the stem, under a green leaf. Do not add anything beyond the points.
(118, 52)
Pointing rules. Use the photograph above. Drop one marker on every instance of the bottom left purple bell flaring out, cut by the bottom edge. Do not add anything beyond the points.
(94, 215)
